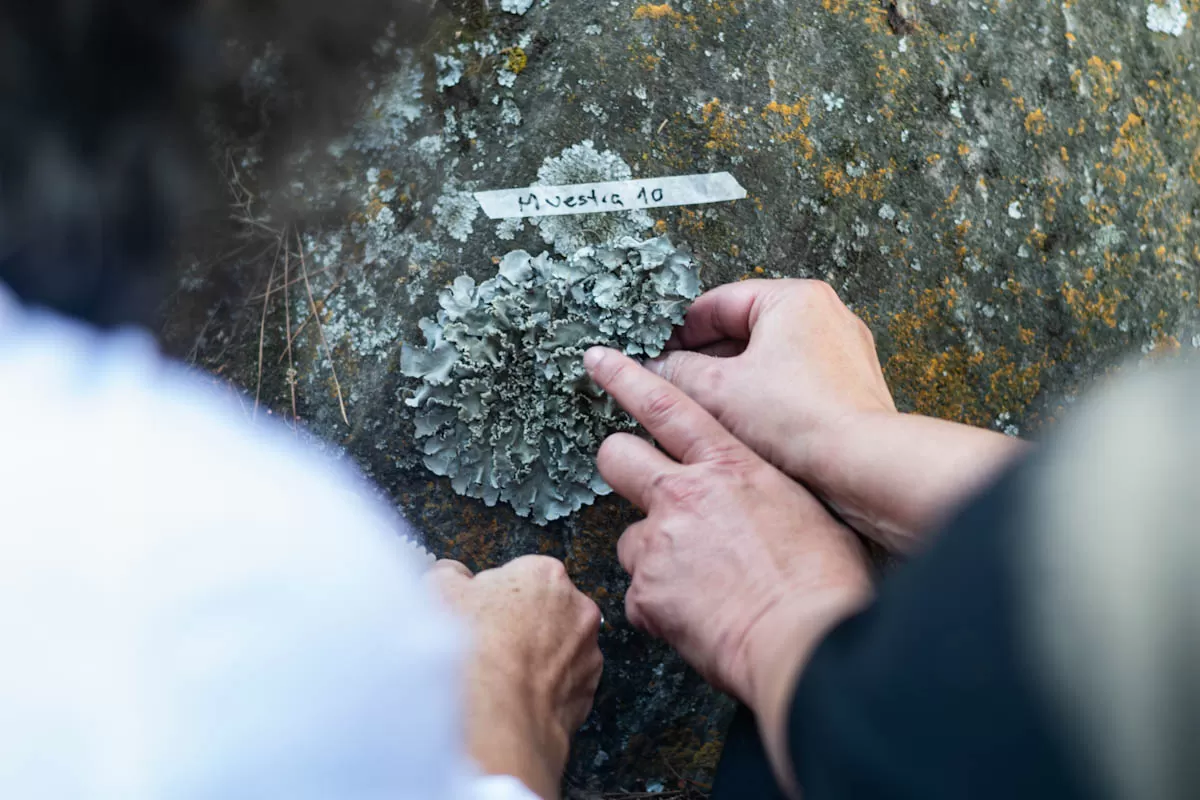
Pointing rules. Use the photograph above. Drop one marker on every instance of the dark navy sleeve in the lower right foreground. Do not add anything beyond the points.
(929, 693)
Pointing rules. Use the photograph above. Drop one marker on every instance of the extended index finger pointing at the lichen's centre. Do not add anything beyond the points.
(680, 425)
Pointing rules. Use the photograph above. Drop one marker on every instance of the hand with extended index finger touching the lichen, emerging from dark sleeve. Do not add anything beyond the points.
(736, 566)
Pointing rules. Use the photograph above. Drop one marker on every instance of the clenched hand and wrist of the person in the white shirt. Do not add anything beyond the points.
(535, 666)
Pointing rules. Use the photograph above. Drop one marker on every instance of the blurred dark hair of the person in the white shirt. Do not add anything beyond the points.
(100, 145)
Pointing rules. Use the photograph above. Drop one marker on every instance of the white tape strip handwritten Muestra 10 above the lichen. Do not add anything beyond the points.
(613, 196)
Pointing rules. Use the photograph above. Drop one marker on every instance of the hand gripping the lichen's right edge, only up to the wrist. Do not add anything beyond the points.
(789, 363)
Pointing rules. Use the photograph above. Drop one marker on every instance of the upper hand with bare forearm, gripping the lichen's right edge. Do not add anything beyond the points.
(794, 374)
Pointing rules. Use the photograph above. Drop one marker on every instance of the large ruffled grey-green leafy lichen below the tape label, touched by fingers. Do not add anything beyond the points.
(506, 408)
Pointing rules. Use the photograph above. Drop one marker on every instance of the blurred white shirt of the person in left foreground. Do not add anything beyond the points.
(197, 607)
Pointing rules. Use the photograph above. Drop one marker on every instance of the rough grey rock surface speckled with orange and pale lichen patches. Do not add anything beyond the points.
(1005, 190)
